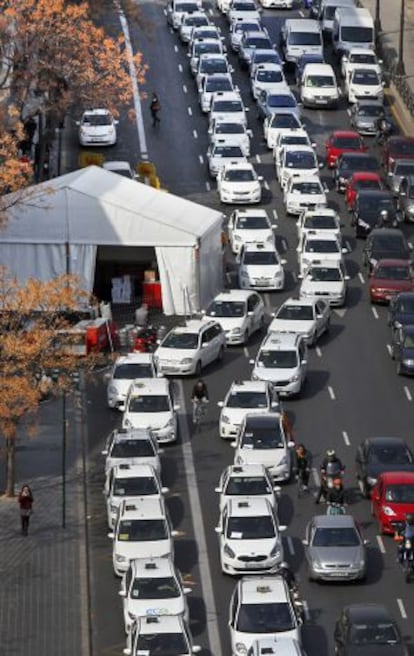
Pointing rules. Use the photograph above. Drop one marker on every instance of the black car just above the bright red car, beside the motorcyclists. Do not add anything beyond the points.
(381, 454)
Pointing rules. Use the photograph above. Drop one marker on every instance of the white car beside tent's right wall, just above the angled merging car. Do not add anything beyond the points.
(261, 267)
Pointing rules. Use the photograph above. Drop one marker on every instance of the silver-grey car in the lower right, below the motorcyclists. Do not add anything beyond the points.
(334, 549)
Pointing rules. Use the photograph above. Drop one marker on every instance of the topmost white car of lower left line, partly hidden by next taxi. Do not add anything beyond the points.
(125, 370)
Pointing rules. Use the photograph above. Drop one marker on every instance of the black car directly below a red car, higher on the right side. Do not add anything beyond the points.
(369, 203)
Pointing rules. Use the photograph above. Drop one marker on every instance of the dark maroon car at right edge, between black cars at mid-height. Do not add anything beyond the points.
(388, 278)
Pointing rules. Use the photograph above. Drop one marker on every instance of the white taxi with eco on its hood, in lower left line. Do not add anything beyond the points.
(152, 586)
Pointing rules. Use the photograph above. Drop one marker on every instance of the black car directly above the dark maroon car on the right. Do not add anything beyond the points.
(384, 244)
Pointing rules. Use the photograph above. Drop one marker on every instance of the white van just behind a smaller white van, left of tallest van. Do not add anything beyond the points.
(300, 36)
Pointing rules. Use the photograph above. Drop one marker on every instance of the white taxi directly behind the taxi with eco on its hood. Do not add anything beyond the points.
(142, 529)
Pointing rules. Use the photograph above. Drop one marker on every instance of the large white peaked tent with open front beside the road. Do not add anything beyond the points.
(57, 226)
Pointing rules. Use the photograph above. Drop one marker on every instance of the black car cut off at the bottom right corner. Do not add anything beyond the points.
(367, 630)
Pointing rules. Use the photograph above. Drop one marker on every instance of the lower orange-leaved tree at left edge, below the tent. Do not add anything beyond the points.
(32, 318)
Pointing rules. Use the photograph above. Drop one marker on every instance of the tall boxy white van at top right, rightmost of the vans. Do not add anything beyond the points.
(352, 28)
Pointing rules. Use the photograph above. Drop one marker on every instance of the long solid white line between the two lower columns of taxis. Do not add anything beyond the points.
(206, 581)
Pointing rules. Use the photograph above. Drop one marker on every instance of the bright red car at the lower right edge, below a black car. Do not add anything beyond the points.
(392, 497)
